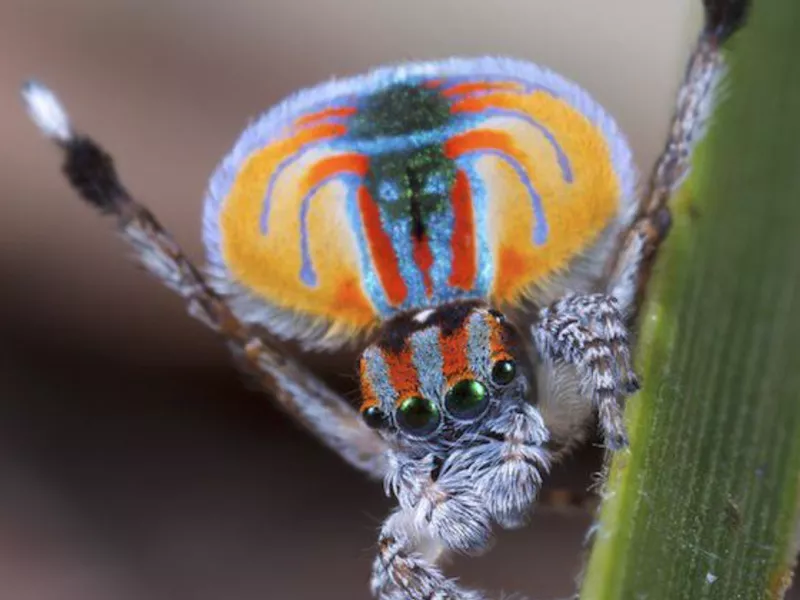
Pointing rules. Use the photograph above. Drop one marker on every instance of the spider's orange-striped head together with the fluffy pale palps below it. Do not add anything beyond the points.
(449, 390)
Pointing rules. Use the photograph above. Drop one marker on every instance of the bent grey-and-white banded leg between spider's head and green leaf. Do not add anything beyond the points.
(588, 332)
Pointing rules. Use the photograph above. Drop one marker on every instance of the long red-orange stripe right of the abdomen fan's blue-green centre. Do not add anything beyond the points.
(462, 244)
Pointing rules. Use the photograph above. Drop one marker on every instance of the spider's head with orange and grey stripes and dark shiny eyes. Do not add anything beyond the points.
(436, 375)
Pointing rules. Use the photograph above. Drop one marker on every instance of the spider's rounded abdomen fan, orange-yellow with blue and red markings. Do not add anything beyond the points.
(410, 187)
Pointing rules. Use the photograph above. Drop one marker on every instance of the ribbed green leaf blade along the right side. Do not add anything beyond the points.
(705, 503)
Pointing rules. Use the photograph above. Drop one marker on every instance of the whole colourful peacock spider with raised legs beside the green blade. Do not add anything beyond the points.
(473, 227)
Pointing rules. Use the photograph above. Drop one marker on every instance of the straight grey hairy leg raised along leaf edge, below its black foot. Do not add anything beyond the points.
(695, 100)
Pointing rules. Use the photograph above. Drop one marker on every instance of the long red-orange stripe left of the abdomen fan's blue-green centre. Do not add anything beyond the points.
(381, 249)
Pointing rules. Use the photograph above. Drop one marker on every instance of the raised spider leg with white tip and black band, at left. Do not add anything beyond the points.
(91, 172)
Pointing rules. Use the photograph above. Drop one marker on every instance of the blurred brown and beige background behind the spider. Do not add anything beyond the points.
(133, 462)
